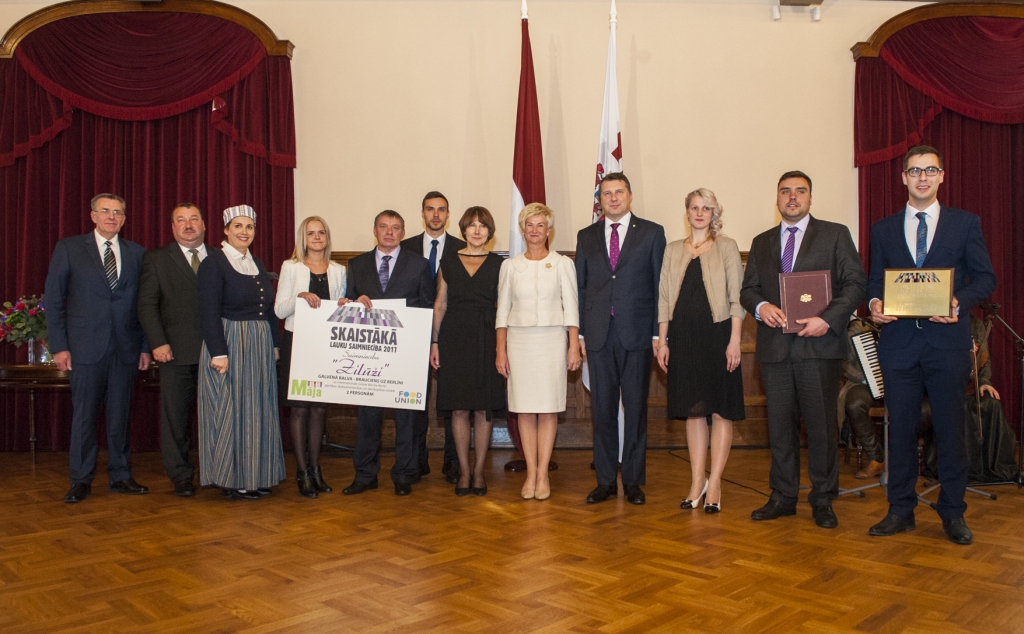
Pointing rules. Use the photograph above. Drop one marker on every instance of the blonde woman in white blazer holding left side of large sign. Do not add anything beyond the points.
(312, 277)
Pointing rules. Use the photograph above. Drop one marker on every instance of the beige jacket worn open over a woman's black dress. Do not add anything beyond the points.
(723, 274)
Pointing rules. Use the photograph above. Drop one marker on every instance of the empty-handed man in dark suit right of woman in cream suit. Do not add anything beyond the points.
(619, 267)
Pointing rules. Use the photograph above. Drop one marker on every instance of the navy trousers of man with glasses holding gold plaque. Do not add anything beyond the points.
(910, 373)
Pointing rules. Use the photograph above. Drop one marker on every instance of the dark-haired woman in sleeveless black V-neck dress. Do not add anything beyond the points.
(464, 343)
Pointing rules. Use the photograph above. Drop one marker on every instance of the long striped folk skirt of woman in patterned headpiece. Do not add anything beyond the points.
(239, 428)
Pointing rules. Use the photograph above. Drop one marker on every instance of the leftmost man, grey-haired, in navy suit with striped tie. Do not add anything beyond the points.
(92, 290)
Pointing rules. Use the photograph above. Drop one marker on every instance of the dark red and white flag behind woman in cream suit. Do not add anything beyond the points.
(528, 164)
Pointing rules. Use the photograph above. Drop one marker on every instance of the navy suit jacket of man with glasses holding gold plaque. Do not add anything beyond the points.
(959, 244)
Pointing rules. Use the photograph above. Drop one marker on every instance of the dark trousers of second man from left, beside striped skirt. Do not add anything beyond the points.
(178, 398)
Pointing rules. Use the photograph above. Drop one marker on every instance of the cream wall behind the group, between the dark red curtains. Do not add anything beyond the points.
(396, 98)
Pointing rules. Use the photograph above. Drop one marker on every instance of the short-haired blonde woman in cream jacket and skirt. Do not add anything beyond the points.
(538, 325)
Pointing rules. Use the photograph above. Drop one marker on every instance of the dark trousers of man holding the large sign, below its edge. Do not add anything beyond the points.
(367, 457)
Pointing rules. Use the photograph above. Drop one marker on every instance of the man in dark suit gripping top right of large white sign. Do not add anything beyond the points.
(389, 273)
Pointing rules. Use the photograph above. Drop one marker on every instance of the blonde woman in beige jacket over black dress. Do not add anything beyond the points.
(700, 290)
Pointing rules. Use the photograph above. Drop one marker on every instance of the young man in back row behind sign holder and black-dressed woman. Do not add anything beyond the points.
(433, 244)
